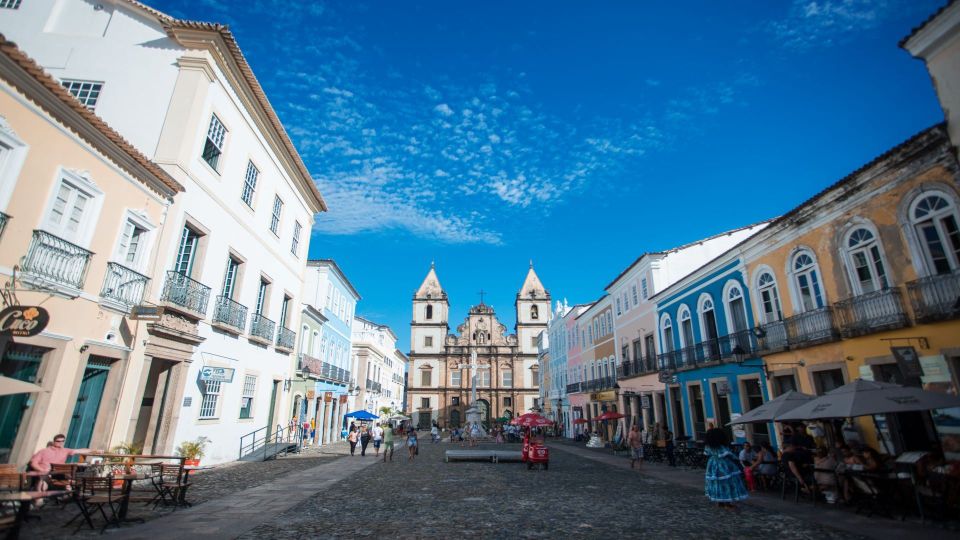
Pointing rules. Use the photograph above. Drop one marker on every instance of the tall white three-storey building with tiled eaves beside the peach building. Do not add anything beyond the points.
(234, 244)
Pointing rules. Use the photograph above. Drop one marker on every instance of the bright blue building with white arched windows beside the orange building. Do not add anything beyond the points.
(707, 359)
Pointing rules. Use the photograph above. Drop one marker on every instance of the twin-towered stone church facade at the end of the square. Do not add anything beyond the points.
(440, 374)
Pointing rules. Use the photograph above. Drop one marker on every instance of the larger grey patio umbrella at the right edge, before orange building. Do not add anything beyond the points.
(867, 398)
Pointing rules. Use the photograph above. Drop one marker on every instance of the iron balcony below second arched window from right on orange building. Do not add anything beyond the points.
(872, 312)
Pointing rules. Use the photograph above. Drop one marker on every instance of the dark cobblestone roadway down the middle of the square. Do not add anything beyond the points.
(576, 497)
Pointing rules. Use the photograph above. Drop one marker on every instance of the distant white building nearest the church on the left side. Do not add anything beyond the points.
(378, 365)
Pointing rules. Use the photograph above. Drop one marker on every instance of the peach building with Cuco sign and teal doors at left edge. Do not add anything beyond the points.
(83, 212)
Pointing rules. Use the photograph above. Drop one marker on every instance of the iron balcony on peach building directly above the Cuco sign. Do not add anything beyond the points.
(53, 259)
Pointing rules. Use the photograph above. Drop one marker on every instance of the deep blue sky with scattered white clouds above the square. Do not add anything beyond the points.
(482, 135)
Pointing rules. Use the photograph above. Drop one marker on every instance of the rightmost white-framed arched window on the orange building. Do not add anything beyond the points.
(935, 221)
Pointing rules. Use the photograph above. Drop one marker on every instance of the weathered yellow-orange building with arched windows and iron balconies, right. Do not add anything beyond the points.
(869, 264)
